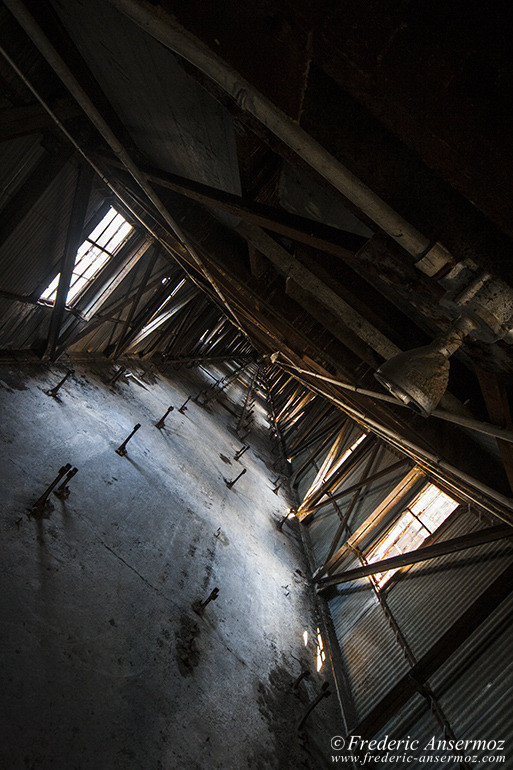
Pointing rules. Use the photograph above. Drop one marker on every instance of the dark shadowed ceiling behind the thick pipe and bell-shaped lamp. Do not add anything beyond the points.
(414, 98)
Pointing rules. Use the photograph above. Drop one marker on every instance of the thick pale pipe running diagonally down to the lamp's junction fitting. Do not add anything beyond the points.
(173, 36)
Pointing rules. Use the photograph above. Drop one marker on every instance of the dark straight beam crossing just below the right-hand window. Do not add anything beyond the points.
(488, 535)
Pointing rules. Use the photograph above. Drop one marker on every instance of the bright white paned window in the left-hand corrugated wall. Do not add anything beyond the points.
(92, 255)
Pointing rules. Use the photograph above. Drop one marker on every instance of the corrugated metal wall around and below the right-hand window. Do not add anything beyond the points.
(421, 603)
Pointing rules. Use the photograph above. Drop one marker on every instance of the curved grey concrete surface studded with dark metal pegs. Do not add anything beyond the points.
(104, 662)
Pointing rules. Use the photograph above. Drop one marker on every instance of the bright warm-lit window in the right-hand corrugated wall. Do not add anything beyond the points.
(426, 512)
